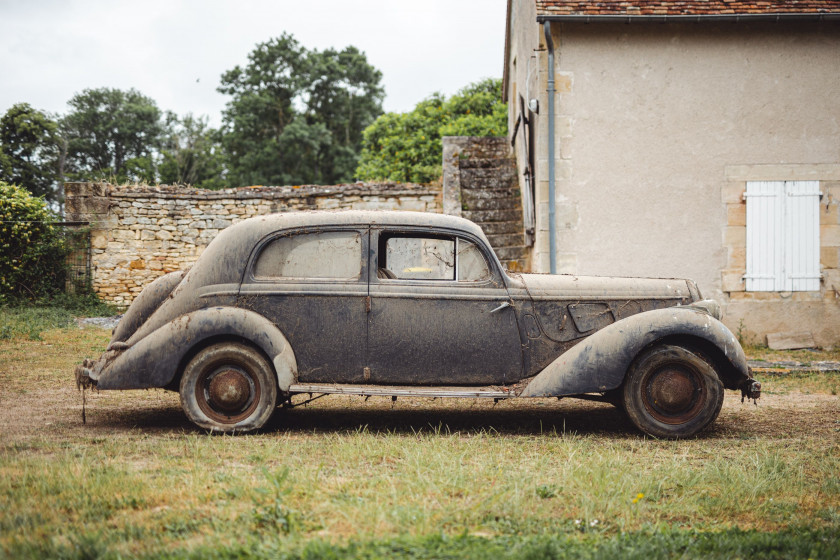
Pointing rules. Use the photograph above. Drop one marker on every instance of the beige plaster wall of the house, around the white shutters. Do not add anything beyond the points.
(660, 126)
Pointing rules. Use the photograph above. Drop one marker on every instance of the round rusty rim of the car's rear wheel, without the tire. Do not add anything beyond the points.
(228, 394)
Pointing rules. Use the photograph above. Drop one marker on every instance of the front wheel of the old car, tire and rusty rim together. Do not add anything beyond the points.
(672, 392)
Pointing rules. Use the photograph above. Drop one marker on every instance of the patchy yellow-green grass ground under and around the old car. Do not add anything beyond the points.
(419, 478)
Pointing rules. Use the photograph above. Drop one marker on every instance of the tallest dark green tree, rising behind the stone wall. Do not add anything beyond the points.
(297, 116)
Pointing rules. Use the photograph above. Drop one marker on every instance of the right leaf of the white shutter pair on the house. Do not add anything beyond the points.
(802, 236)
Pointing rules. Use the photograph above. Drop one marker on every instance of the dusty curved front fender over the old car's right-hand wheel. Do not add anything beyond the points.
(600, 362)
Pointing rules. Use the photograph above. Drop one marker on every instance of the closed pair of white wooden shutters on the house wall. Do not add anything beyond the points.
(783, 236)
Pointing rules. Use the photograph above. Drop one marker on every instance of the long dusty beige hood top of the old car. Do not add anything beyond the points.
(571, 287)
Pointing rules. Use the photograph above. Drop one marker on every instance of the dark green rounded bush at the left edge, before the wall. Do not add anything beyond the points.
(32, 254)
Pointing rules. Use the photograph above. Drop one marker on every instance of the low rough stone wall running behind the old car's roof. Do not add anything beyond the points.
(139, 233)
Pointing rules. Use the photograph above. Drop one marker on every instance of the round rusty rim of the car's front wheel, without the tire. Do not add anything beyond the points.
(674, 393)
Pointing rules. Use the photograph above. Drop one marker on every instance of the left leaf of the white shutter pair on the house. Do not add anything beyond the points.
(765, 218)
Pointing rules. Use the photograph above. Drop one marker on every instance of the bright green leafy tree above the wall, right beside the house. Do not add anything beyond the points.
(407, 146)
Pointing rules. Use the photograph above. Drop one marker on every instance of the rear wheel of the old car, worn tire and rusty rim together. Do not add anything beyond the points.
(229, 387)
